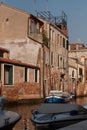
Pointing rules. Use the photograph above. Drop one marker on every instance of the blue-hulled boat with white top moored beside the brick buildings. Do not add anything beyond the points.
(57, 97)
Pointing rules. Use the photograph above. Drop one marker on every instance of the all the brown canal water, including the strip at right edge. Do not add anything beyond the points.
(25, 110)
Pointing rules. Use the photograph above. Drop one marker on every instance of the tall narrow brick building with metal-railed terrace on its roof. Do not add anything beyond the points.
(57, 33)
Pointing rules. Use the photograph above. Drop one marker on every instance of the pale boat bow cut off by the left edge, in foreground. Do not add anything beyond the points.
(8, 119)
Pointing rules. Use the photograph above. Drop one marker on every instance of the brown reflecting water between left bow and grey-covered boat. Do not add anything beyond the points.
(25, 111)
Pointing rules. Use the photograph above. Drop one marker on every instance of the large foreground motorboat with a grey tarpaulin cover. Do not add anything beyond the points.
(54, 115)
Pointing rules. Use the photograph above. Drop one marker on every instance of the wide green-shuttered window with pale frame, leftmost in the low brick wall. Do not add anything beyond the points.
(8, 74)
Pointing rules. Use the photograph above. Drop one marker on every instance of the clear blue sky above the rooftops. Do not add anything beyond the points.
(76, 11)
